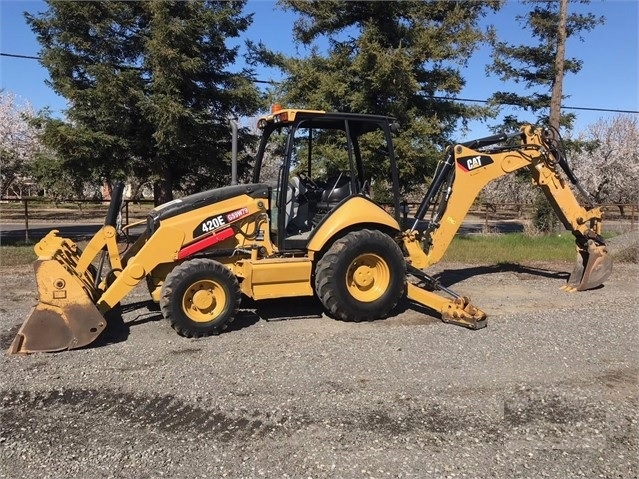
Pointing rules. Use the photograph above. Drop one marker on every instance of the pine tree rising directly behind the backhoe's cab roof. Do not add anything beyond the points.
(389, 58)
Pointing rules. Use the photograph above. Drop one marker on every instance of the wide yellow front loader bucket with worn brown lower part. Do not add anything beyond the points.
(66, 316)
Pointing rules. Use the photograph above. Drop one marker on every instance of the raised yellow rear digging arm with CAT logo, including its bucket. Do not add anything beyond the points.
(465, 171)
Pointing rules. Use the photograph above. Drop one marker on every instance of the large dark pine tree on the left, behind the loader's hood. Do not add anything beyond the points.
(149, 89)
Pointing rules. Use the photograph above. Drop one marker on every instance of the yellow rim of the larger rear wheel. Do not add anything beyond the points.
(367, 278)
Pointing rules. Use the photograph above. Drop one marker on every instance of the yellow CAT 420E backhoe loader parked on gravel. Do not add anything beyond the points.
(308, 224)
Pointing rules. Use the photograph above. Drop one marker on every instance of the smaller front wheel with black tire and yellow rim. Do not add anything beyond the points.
(200, 297)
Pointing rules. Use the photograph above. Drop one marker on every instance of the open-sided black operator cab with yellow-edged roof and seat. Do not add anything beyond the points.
(315, 161)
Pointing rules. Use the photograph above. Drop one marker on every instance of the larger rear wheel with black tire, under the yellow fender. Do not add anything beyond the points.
(361, 277)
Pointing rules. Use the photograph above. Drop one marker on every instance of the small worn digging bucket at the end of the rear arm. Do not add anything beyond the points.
(592, 268)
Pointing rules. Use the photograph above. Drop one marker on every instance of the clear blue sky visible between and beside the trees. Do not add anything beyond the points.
(608, 79)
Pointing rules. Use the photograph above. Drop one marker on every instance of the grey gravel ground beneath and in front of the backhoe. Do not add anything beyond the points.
(548, 389)
